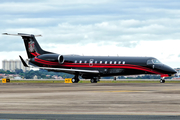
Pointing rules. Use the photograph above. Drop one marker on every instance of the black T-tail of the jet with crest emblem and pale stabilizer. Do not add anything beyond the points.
(32, 46)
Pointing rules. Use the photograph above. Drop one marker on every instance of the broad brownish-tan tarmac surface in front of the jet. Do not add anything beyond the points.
(113, 99)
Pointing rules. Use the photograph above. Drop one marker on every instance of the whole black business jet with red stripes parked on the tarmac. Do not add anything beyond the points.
(90, 67)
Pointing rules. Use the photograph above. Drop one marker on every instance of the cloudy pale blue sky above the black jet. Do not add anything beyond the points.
(94, 27)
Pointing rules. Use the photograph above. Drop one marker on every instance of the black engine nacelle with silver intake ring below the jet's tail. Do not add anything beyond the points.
(52, 58)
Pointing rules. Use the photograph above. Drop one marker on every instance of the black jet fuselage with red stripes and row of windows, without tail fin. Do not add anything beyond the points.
(106, 65)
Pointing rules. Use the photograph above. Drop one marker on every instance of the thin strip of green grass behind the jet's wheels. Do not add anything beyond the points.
(87, 81)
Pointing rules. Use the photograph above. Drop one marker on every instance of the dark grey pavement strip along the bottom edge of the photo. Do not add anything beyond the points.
(88, 117)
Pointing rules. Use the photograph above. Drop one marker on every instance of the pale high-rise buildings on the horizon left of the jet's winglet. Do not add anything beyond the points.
(12, 65)
